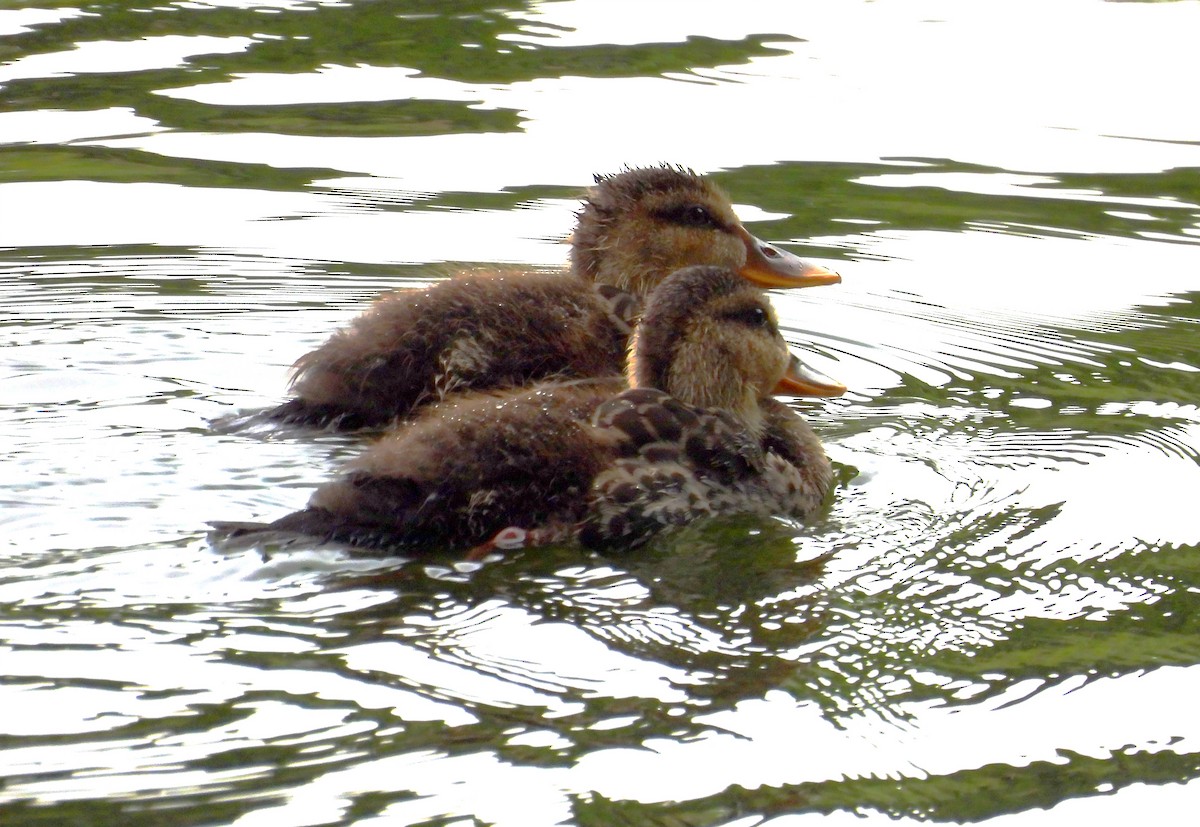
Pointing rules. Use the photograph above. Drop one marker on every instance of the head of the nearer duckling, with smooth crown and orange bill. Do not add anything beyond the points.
(711, 339)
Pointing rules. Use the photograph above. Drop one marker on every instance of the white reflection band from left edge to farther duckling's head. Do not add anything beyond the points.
(314, 226)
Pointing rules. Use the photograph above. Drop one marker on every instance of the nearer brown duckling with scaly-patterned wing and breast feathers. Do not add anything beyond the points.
(691, 432)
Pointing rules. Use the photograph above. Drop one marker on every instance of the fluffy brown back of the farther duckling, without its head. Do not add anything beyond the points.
(473, 332)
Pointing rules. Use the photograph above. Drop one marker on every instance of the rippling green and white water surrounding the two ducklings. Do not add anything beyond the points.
(994, 622)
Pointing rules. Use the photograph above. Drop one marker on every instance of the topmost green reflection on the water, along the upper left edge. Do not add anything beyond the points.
(425, 37)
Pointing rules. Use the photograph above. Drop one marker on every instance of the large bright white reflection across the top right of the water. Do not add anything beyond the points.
(1090, 115)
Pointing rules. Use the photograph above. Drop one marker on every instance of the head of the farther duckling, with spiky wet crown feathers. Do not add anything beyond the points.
(639, 226)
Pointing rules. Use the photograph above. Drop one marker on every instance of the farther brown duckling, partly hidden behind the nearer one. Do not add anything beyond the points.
(487, 331)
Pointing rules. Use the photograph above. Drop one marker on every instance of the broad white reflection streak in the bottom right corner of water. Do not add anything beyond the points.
(777, 741)
